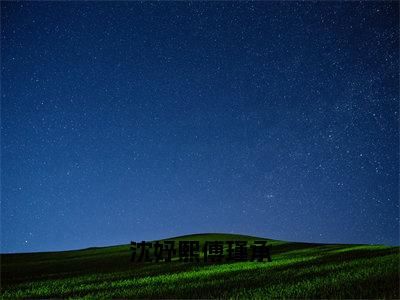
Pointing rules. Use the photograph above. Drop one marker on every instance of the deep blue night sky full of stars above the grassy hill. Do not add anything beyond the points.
(139, 121)
